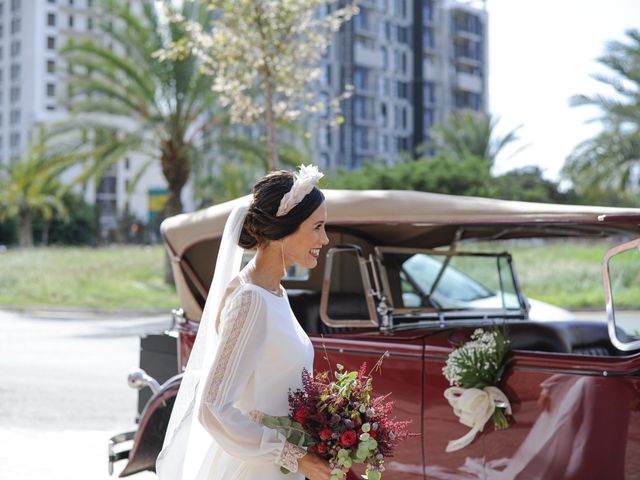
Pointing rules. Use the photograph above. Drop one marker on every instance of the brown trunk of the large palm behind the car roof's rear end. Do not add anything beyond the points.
(176, 169)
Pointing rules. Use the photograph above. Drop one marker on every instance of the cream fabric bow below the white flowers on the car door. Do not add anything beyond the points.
(474, 407)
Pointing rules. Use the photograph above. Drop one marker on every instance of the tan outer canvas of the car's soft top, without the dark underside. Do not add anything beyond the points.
(397, 206)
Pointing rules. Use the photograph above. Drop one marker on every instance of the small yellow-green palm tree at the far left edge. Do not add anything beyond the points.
(30, 184)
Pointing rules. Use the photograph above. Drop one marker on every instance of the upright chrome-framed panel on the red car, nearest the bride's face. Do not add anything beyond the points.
(347, 298)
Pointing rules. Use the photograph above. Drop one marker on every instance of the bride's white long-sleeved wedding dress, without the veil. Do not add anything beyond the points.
(262, 353)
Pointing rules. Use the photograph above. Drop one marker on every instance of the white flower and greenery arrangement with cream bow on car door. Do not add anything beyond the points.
(474, 372)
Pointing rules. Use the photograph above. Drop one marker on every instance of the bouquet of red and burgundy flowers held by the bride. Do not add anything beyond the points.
(339, 419)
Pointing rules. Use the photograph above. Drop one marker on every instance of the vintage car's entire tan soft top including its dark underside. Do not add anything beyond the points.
(391, 218)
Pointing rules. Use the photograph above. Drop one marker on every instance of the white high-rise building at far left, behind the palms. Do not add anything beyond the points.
(33, 88)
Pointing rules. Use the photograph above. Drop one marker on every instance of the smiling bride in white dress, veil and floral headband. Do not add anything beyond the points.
(250, 349)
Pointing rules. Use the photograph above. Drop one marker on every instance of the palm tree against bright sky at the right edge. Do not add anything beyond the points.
(610, 160)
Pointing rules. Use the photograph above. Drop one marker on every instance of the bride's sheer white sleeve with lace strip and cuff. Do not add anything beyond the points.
(243, 333)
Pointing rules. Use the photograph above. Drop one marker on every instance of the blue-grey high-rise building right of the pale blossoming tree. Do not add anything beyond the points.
(412, 63)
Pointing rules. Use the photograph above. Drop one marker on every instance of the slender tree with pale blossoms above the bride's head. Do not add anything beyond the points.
(262, 55)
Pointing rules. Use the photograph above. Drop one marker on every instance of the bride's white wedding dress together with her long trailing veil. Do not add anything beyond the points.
(243, 363)
